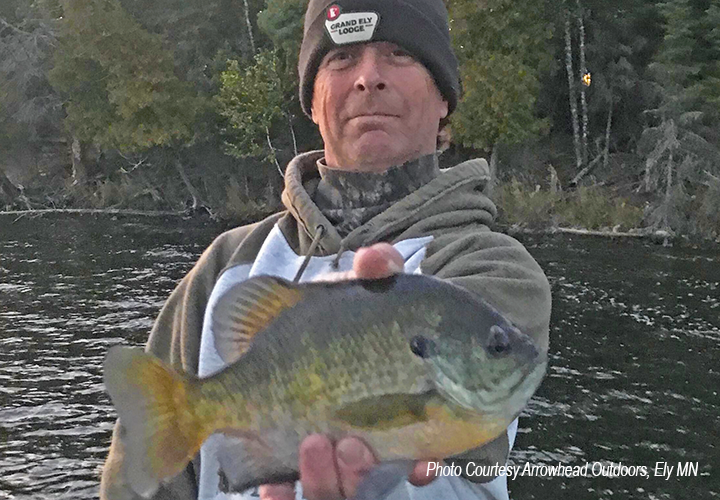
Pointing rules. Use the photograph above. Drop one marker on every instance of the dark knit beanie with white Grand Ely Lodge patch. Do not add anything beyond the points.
(418, 26)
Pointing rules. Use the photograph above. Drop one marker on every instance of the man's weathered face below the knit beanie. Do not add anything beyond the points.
(376, 107)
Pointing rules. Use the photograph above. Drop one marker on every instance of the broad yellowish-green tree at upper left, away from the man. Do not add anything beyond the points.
(118, 80)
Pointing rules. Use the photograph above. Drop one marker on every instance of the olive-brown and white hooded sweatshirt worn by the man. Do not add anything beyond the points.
(441, 228)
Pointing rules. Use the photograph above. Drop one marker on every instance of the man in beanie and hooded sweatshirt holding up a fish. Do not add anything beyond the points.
(378, 77)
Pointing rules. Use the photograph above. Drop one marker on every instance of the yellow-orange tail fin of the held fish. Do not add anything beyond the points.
(161, 436)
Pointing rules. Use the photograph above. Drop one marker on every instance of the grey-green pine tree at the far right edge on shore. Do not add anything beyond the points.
(680, 160)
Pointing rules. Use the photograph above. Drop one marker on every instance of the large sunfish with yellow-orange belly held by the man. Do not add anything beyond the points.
(416, 367)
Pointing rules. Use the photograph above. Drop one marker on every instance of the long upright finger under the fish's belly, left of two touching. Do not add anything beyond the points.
(318, 474)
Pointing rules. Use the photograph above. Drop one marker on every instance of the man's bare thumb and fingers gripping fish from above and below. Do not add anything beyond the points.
(333, 471)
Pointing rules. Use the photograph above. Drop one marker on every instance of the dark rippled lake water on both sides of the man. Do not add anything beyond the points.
(633, 380)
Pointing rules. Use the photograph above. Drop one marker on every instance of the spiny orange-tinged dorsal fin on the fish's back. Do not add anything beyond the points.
(248, 308)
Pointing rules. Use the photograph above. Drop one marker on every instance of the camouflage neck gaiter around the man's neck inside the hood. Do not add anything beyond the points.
(350, 199)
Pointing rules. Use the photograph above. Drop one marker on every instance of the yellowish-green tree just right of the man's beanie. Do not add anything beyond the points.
(501, 48)
